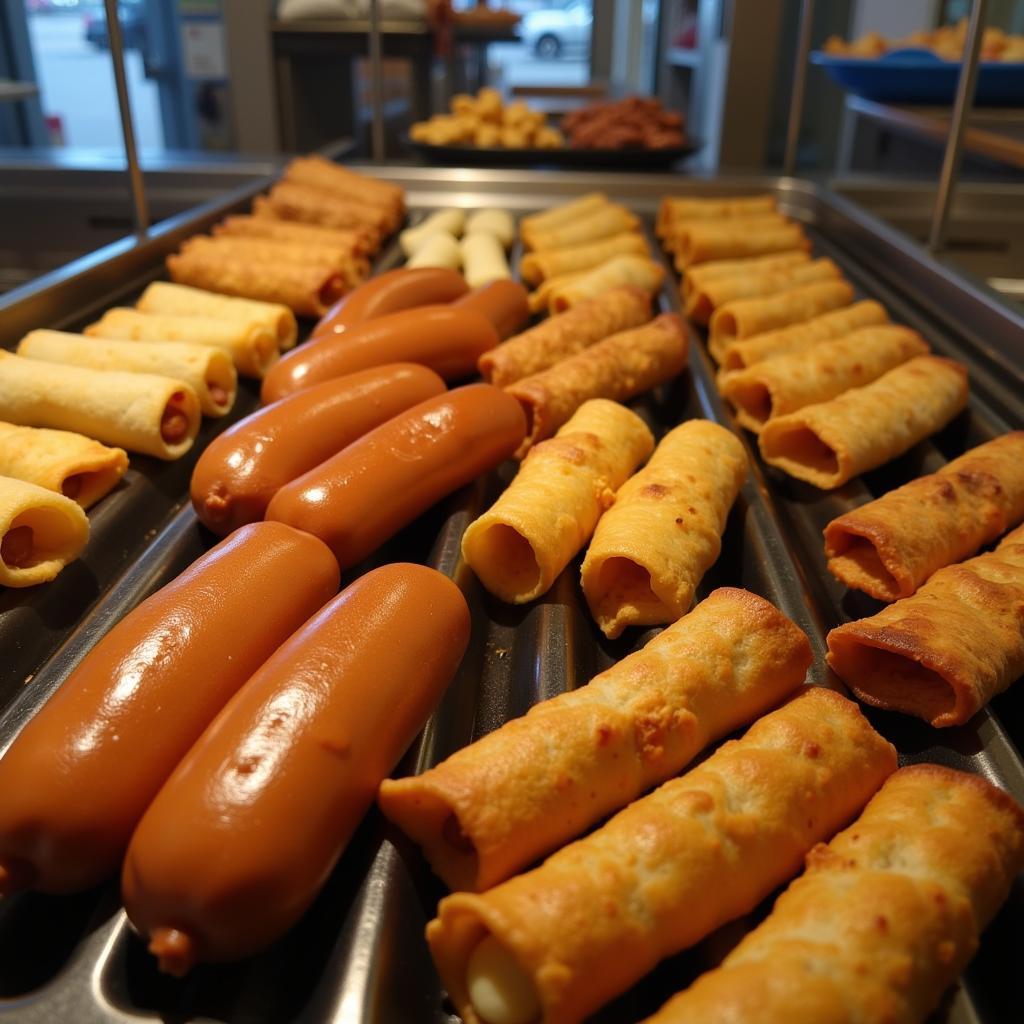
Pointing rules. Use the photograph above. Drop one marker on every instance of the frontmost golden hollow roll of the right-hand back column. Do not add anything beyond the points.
(829, 444)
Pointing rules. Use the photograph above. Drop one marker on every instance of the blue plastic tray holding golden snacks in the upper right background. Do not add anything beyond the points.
(915, 76)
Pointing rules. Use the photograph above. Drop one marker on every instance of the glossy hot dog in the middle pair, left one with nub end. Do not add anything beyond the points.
(241, 471)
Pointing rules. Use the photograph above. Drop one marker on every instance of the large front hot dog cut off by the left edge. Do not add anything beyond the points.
(77, 780)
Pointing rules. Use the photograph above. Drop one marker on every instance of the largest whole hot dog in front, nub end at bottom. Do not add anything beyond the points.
(245, 833)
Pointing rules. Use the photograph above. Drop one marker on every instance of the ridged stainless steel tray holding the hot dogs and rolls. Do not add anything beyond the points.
(359, 955)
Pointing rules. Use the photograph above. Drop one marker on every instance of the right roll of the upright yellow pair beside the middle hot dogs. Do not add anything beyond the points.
(665, 530)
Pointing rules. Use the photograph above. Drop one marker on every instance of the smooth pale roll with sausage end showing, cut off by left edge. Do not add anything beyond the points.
(145, 413)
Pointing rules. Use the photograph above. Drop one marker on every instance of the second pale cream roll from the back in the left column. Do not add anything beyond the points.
(252, 348)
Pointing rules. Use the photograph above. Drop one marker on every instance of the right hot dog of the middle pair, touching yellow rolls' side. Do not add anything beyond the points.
(357, 500)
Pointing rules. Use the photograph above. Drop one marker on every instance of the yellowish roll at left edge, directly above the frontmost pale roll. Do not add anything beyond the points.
(70, 464)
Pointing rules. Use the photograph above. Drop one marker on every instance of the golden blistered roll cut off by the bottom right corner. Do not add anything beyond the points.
(884, 919)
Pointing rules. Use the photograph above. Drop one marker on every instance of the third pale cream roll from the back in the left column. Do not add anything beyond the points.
(208, 371)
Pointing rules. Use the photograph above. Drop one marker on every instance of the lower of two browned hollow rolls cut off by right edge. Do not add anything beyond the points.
(947, 651)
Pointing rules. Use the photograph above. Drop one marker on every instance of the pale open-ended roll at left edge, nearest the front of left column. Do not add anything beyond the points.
(40, 533)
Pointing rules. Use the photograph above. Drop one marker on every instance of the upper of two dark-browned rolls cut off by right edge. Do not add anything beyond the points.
(889, 547)
